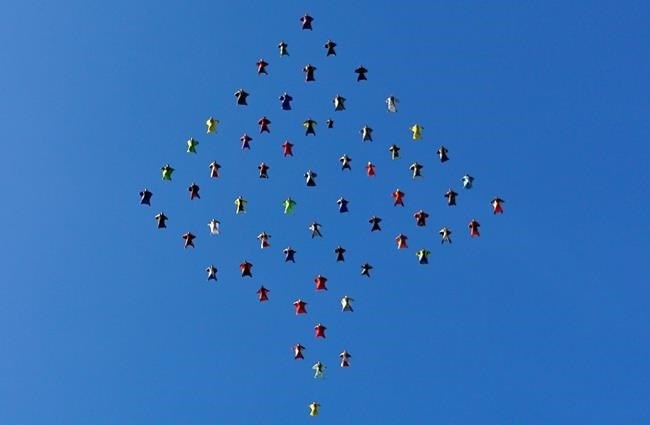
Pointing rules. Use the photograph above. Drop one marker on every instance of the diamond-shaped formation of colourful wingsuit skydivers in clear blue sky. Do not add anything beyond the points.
(371, 171)
